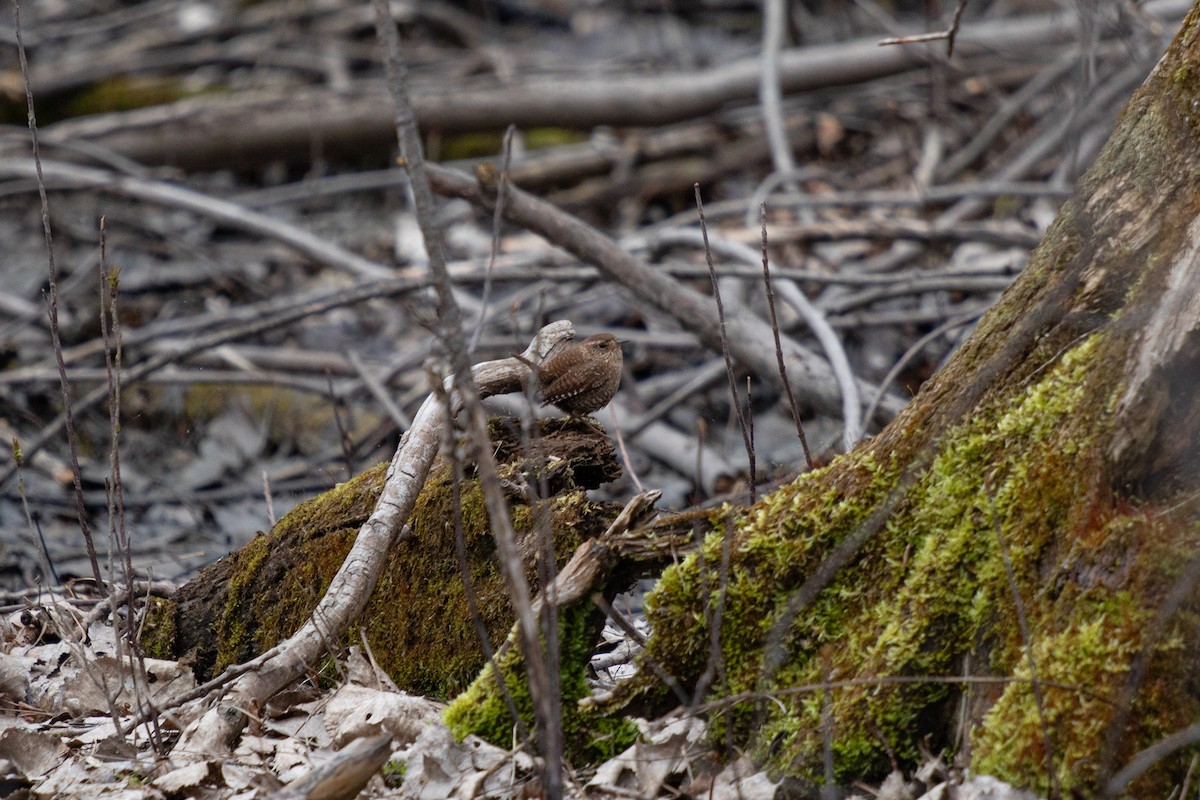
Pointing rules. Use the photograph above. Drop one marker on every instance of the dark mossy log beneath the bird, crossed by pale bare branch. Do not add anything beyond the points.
(419, 621)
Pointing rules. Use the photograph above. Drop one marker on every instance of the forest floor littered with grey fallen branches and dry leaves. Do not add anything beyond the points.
(232, 170)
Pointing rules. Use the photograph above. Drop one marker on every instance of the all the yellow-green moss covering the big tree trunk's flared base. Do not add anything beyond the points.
(927, 592)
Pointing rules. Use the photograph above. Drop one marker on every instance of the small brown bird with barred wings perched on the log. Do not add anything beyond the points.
(583, 378)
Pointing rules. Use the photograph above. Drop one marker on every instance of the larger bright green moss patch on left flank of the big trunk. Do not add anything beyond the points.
(926, 592)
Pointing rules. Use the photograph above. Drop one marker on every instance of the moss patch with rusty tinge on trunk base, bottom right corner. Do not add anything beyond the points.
(1112, 586)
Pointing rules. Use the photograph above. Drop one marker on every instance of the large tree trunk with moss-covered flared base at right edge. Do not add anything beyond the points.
(1045, 480)
